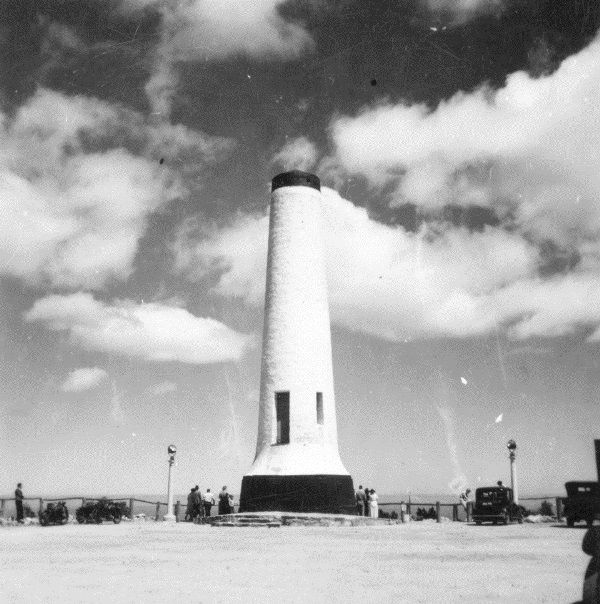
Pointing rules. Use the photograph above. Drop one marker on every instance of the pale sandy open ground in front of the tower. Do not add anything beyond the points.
(416, 562)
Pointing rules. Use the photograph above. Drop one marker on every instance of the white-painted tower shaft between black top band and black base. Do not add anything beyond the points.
(297, 340)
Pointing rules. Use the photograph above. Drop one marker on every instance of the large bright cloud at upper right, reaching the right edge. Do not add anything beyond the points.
(529, 151)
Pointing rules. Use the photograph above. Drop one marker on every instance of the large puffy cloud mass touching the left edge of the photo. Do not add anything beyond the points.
(75, 201)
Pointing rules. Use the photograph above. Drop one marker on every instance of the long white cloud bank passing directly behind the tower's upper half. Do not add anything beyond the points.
(393, 283)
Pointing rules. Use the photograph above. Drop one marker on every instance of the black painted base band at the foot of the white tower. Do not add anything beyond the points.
(323, 493)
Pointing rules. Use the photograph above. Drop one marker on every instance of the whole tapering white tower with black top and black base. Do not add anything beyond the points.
(297, 465)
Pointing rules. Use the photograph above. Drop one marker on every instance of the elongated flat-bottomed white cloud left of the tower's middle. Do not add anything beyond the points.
(153, 331)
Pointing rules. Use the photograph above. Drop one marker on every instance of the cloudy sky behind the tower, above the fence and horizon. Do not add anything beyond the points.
(459, 149)
